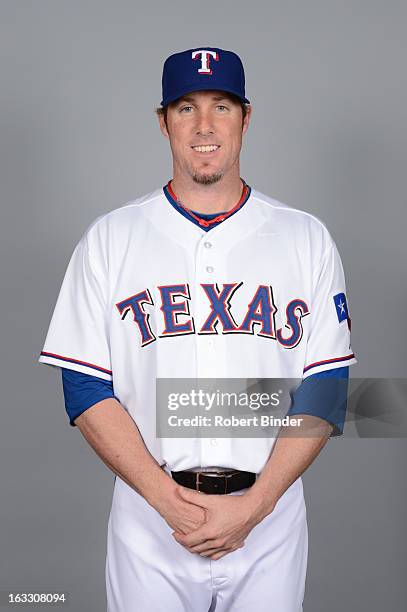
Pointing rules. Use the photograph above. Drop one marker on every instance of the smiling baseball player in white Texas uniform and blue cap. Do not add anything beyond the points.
(203, 278)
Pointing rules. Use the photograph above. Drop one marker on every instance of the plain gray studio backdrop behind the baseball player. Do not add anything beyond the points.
(79, 83)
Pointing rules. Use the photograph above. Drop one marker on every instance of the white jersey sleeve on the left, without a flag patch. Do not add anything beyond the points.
(77, 337)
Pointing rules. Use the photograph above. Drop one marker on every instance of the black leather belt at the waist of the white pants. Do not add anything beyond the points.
(215, 483)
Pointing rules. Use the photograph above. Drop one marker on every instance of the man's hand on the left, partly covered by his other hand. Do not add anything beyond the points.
(180, 515)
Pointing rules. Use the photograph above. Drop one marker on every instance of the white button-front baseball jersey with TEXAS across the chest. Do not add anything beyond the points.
(150, 294)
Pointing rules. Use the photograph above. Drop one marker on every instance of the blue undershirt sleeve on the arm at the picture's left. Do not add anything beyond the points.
(81, 391)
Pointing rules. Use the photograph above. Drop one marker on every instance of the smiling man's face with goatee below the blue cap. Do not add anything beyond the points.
(205, 130)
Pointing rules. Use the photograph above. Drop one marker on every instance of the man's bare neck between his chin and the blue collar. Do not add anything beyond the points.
(219, 197)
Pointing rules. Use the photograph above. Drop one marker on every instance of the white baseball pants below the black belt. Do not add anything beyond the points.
(148, 571)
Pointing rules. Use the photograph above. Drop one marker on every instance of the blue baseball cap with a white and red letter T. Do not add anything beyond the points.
(201, 69)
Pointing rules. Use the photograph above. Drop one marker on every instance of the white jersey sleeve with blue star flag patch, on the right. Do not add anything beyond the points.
(329, 344)
